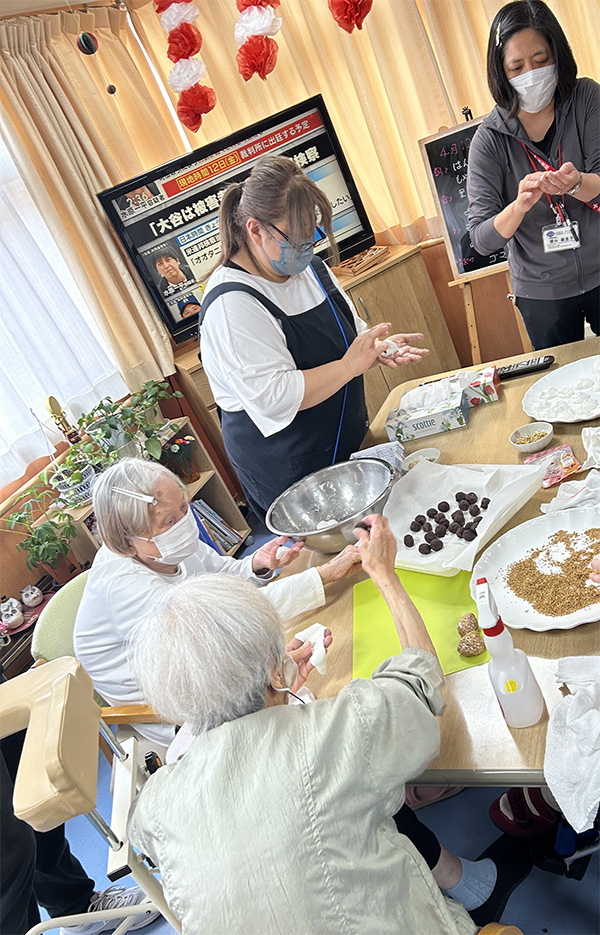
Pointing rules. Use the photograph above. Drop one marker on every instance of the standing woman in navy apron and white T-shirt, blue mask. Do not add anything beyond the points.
(281, 345)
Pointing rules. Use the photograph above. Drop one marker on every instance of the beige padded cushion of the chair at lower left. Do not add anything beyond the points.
(58, 770)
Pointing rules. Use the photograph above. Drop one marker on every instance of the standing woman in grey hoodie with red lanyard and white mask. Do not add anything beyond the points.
(534, 174)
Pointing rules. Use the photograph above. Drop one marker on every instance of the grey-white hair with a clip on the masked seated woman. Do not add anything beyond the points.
(121, 517)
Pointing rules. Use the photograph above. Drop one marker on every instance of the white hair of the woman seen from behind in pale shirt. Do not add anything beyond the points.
(203, 655)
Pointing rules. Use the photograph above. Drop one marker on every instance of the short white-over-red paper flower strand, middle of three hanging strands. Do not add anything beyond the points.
(257, 53)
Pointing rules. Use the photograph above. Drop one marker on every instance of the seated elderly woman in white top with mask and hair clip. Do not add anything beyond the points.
(150, 542)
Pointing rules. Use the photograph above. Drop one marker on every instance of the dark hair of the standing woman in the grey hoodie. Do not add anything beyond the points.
(511, 19)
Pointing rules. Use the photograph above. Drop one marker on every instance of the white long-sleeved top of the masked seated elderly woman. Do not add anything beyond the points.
(120, 591)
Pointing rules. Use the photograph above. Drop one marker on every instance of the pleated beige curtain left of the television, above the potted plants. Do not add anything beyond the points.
(70, 139)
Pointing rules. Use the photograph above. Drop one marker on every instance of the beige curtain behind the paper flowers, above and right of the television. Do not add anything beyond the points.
(405, 75)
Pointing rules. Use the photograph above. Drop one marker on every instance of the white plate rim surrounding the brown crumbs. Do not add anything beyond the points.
(512, 547)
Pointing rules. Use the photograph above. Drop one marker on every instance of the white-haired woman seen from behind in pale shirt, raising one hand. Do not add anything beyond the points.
(285, 818)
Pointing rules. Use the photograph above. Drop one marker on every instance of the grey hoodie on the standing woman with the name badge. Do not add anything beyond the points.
(497, 163)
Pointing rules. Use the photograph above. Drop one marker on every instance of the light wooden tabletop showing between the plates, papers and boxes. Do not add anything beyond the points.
(477, 746)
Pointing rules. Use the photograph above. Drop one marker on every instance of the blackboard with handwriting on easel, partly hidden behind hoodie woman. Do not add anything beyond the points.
(446, 157)
